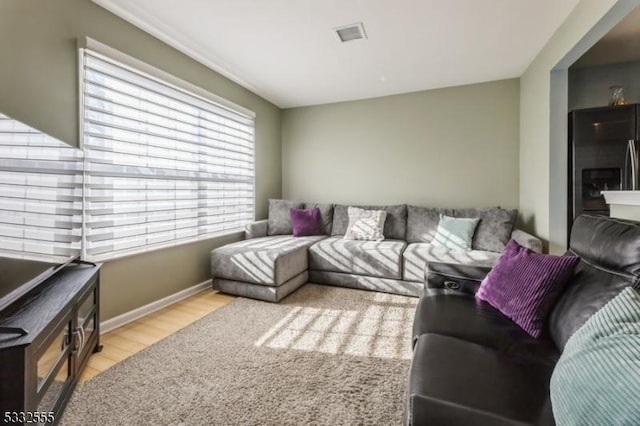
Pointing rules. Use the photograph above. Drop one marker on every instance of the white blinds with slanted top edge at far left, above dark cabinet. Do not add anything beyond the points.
(40, 194)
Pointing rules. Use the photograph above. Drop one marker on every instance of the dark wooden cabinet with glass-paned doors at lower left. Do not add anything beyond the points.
(39, 370)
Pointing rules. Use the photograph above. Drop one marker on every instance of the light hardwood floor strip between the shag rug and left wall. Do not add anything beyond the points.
(125, 341)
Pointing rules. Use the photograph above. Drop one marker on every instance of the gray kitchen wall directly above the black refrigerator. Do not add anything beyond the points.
(589, 87)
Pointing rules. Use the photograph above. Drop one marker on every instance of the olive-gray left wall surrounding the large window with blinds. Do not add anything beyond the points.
(39, 86)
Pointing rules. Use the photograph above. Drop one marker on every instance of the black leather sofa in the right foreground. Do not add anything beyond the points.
(473, 366)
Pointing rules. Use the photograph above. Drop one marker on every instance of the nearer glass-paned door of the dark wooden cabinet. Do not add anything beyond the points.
(53, 366)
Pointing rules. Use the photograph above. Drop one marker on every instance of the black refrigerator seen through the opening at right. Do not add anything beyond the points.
(603, 156)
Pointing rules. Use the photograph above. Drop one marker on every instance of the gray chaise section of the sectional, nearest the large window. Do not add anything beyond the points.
(268, 268)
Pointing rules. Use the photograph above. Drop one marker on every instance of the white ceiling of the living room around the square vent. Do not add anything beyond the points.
(287, 52)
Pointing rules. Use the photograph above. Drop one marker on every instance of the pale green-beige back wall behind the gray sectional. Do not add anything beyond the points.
(451, 147)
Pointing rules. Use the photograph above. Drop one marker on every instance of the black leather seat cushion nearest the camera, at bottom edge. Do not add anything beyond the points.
(476, 385)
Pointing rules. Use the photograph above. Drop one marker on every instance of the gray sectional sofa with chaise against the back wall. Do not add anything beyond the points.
(271, 263)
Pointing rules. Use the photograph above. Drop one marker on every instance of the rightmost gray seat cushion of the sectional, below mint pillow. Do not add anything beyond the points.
(416, 256)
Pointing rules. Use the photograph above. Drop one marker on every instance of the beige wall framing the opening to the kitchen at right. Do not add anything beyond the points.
(543, 117)
